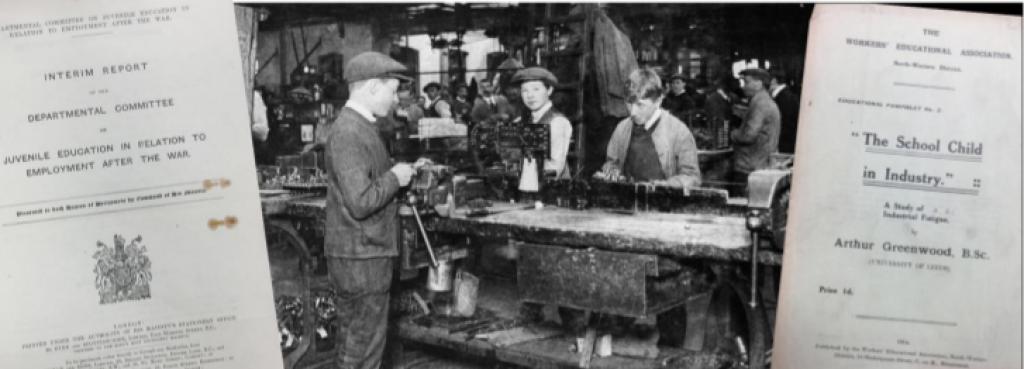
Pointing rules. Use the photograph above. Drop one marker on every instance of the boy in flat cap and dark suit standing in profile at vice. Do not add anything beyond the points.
(362, 212)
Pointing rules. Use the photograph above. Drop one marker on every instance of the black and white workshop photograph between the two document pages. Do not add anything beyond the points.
(493, 185)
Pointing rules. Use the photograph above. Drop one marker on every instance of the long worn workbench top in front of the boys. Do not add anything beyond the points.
(688, 236)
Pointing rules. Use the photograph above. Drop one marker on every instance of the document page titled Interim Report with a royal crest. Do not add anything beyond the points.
(131, 221)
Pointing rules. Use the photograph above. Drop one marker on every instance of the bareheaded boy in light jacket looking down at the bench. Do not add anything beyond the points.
(652, 146)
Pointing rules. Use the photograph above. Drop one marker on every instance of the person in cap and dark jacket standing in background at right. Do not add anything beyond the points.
(757, 138)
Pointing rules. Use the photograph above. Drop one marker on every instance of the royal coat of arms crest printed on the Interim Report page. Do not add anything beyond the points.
(122, 272)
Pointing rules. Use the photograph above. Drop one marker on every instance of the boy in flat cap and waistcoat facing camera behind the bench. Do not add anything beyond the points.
(536, 87)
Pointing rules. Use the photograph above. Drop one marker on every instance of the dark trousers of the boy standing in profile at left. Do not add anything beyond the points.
(363, 310)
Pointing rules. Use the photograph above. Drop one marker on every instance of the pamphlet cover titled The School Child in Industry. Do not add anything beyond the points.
(905, 240)
